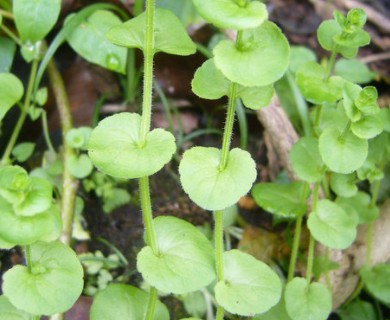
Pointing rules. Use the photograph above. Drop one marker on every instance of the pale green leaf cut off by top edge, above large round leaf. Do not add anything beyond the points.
(232, 14)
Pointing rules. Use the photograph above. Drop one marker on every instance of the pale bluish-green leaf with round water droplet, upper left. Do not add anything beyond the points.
(89, 41)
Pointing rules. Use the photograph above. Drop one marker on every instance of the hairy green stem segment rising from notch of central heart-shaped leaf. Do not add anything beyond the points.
(228, 130)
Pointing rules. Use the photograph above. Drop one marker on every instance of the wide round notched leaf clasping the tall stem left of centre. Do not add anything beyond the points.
(115, 150)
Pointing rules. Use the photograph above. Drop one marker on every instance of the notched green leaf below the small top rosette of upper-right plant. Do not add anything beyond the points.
(312, 82)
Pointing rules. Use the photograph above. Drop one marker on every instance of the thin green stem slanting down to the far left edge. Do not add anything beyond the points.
(18, 127)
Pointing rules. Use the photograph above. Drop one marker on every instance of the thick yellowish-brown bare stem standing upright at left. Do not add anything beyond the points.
(69, 183)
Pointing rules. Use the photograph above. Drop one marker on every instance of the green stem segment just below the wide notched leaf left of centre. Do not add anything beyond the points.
(147, 214)
